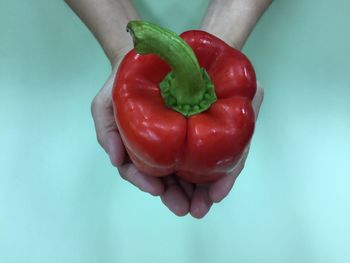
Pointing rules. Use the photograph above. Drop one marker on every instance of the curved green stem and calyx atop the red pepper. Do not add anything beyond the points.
(187, 88)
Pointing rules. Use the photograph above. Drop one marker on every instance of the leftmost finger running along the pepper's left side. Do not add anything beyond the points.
(106, 128)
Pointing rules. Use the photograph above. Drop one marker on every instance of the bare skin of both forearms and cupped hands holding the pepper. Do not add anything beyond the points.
(232, 21)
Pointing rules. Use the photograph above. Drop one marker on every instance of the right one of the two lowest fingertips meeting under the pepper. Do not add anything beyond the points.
(201, 202)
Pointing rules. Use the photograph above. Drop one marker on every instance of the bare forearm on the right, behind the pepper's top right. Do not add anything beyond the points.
(233, 20)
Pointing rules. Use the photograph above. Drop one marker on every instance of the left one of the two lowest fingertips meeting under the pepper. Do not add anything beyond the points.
(174, 197)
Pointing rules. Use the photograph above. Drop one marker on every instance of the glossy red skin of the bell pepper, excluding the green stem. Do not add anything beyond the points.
(160, 140)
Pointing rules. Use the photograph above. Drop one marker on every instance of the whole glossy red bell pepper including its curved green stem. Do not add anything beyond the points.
(183, 104)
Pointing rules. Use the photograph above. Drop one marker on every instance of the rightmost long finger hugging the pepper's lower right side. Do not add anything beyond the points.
(219, 189)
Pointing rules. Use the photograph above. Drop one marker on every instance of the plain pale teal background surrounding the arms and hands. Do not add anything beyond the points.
(62, 201)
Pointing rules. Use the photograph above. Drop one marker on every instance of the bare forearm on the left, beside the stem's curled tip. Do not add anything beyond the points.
(107, 20)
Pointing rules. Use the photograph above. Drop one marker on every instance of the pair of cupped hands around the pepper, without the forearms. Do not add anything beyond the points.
(179, 196)
